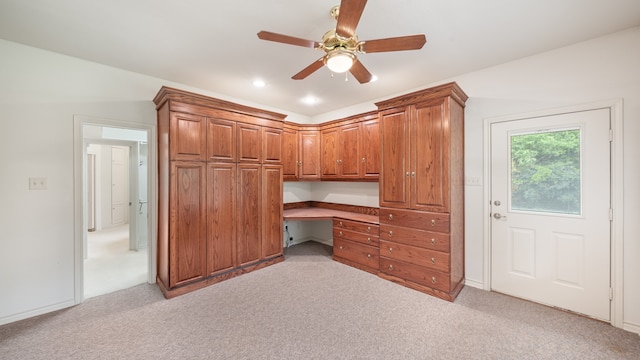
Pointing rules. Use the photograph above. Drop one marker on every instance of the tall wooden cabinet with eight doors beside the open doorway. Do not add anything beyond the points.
(220, 190)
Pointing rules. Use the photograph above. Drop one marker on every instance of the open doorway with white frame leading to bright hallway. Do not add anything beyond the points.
(115, 237)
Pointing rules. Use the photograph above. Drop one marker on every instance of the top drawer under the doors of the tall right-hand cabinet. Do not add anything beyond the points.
(430, 221)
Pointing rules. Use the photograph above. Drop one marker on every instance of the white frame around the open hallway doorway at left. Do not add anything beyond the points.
(79, 190)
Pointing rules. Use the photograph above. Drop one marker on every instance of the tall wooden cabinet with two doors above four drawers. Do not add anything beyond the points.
(422, 190)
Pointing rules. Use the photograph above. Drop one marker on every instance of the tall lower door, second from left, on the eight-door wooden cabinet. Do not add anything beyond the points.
(221, 209)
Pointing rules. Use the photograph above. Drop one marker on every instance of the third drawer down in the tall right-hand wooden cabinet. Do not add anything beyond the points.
(414, 255)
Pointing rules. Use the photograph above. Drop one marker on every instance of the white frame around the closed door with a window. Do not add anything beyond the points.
(617, 197)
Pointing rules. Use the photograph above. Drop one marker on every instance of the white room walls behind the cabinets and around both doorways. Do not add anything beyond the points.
(40, 92)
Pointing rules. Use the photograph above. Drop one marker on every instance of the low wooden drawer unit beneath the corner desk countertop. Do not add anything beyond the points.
(356, 244)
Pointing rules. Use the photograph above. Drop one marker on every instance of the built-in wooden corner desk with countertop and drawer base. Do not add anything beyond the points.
(355, 231)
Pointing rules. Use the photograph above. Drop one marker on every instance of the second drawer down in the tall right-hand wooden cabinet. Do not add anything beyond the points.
(421, 238)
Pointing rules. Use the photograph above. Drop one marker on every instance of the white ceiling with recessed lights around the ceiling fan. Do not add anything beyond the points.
(213, 45)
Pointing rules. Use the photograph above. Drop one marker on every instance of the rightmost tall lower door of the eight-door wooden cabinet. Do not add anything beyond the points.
(272, 209)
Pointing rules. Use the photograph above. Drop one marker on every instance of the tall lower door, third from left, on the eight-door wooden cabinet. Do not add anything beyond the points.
(248, 220)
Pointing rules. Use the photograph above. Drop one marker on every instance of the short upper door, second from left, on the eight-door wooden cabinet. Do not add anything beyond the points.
(221, 140)
